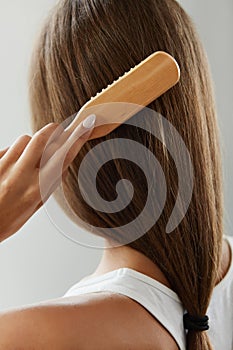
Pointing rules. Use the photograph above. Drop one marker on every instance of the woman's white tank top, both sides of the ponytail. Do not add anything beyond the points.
(165, 305)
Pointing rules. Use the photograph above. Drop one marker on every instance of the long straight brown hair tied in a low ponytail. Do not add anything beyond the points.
(84, 46)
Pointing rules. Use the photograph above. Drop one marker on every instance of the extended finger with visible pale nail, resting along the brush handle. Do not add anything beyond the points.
(58, 164)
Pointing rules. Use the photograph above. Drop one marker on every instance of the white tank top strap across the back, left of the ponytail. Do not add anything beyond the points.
(159, 300)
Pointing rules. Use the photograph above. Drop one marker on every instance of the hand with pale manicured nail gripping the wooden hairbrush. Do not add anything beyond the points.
(30, 161)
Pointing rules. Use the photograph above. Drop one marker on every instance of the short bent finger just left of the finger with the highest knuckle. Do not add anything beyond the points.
(14, 152)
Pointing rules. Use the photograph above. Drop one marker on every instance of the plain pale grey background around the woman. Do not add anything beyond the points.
(38, 262)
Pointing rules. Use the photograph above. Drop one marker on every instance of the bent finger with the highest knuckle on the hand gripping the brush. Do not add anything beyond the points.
(35, 148)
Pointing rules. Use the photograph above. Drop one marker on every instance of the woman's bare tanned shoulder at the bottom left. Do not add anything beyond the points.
(91, 321)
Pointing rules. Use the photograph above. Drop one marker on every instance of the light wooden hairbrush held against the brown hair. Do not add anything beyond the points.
(136, 89)
